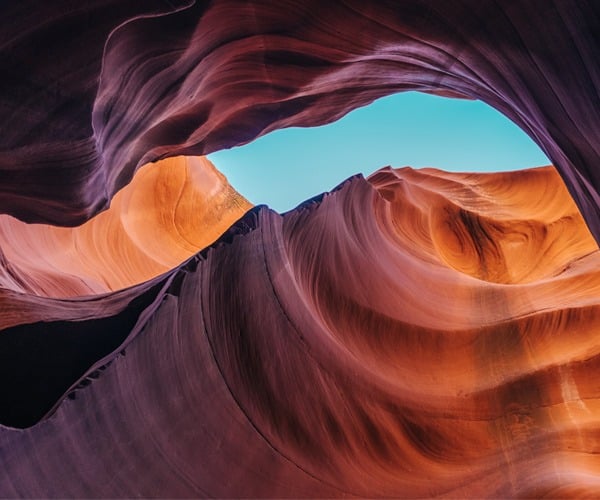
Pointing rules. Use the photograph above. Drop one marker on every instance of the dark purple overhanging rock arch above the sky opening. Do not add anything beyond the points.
(91, 92)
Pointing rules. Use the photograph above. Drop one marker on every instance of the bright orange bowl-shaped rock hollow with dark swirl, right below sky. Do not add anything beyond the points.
(512, 227)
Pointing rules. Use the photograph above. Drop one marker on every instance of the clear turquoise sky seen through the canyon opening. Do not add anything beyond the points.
(285, 167)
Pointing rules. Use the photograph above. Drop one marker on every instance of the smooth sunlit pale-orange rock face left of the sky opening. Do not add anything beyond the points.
(170, 211)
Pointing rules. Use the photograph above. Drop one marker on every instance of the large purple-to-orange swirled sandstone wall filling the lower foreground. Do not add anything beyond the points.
(339, 349)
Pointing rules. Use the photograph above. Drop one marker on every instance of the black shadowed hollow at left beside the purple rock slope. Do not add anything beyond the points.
(39, 362)
